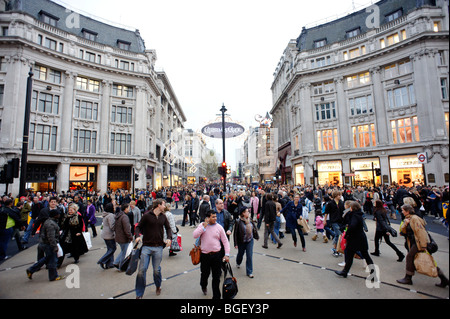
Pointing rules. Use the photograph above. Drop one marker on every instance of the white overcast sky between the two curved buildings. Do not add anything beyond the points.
(218, 52)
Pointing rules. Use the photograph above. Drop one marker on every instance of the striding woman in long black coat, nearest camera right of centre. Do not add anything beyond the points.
(356, 239)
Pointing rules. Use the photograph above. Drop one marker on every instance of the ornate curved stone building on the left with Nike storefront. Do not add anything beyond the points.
(100, 114)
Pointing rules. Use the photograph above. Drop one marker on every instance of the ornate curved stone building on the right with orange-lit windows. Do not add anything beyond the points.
(357, 99)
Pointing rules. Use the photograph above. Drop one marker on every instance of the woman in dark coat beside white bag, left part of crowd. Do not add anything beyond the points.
(72, 239)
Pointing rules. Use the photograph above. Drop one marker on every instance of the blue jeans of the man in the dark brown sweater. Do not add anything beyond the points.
(141, 278)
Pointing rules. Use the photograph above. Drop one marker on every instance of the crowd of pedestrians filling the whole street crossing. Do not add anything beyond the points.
(217, 215)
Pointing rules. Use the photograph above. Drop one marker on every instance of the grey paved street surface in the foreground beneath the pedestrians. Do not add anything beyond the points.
(286, 273)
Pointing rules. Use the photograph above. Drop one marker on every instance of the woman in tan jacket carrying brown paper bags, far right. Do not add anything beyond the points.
(413, 228)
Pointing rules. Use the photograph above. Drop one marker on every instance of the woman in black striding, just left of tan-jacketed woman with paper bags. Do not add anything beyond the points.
(382, 230)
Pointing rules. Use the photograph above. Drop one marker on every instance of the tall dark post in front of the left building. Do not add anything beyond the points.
(26, 130)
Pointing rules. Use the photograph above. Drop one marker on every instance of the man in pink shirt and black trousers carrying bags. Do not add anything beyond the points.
(212, 235)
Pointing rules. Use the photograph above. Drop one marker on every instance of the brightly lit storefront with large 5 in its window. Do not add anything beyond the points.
(406, 170)
